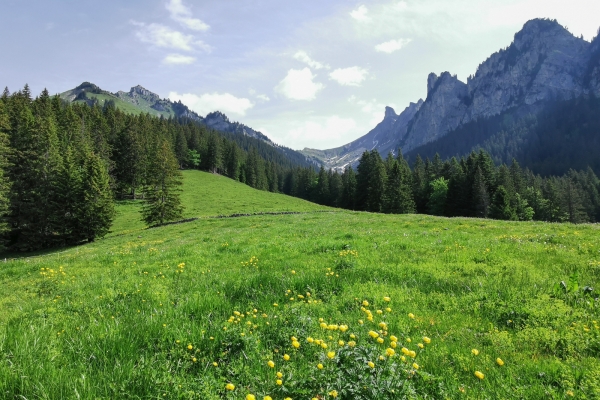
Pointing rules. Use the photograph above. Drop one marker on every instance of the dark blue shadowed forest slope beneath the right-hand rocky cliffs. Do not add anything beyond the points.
(563, 135)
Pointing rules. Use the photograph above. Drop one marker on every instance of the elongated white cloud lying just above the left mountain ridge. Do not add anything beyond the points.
(209, 102)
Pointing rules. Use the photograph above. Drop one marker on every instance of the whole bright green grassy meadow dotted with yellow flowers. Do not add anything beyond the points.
(319, 305)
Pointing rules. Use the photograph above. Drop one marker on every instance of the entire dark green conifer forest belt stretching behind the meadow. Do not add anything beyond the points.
(62, 166)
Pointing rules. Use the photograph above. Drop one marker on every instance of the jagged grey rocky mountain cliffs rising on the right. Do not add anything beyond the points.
(545, 63)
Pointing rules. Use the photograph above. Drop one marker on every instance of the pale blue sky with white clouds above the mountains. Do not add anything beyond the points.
(308, 73)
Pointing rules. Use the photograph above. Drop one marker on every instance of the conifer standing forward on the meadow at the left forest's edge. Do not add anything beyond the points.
(161, 193)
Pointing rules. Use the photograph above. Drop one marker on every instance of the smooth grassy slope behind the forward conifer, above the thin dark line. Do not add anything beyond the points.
(205, 194)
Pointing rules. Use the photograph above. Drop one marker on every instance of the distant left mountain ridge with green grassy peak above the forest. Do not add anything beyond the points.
(140, 100)
